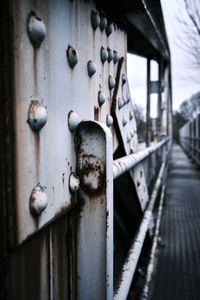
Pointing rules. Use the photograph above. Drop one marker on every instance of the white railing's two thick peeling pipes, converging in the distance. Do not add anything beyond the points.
(121, 166)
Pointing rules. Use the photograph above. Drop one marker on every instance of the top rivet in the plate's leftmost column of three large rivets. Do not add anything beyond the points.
(36, 29)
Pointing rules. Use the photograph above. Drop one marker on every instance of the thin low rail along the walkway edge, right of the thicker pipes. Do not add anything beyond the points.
(150, 268)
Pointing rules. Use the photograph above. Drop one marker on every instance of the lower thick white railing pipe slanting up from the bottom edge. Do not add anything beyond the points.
(136, 247)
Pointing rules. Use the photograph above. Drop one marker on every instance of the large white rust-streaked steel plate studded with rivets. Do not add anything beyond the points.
(44, 74)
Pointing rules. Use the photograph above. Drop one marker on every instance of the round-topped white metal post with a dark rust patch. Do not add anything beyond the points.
(94, 232)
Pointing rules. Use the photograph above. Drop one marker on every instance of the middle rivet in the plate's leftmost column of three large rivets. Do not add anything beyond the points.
(37, 115)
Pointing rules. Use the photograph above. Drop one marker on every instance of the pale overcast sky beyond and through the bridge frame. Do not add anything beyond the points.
(182, 87)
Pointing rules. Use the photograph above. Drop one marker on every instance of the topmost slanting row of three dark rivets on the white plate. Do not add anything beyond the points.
(101, 22)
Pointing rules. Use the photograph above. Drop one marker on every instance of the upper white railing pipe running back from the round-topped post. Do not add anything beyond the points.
(125, 163)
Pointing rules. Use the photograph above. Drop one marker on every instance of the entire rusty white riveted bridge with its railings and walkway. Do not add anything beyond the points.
(81, 201)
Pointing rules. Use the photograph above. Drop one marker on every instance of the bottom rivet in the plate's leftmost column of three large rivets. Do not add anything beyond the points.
(38, 200)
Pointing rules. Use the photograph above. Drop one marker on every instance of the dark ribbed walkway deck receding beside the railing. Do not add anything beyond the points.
(178, 267)
